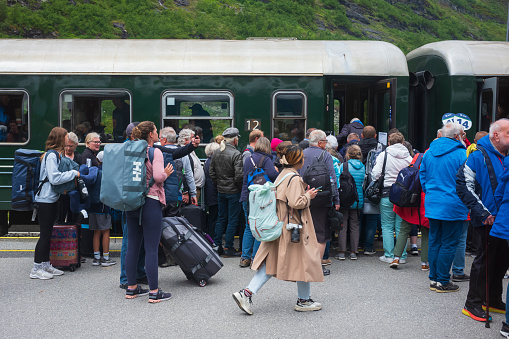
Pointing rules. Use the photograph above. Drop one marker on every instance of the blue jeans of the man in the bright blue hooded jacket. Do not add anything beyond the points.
(444, 237)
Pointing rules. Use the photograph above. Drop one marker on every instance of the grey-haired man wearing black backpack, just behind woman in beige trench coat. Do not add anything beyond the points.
(315, 157)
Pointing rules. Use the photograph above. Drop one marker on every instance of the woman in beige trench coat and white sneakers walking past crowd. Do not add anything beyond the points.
(282, 258)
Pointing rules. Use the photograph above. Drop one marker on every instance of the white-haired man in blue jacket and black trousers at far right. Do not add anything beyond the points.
(483, 210)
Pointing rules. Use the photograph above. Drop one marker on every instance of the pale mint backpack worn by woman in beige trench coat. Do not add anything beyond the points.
(263, 220)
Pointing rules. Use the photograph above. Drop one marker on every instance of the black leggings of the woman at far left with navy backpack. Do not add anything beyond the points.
(47, 214)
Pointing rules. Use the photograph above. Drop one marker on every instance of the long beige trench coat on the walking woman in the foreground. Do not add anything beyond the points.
(286, 260)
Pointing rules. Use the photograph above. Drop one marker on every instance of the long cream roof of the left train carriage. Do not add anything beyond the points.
(212, 57)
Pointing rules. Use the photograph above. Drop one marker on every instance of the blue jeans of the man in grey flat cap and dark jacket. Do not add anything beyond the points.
(228, 215)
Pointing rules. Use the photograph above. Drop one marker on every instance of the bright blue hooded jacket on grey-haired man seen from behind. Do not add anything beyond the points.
(437, 174)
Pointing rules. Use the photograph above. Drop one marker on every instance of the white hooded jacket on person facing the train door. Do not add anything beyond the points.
(398, 158)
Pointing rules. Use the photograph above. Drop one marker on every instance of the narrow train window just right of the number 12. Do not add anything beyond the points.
(289, 112)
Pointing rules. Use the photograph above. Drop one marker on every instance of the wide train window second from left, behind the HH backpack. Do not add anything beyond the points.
(106, 112)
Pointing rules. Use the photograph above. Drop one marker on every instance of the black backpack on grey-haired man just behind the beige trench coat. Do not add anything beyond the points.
(317, 175)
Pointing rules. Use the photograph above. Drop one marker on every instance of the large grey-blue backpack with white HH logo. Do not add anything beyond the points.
(124, 175)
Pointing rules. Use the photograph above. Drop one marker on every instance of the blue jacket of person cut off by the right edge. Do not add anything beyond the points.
(500, 228)
